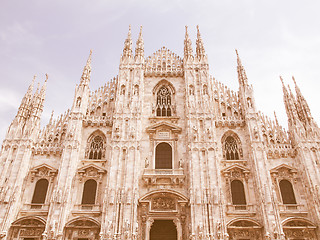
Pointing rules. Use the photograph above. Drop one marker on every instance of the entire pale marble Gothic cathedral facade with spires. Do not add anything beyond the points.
(162, 151)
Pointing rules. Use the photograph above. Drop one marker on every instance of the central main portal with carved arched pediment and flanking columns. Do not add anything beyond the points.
(162, 215)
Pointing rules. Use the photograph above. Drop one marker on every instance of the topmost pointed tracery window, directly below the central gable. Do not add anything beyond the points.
(164, 105)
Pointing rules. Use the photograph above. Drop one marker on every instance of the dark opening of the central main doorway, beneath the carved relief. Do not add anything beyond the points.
(163, 230)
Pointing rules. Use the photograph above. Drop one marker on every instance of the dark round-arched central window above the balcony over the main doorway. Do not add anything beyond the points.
(163, 156)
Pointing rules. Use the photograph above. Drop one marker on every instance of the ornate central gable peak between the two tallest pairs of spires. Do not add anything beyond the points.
(164, 63)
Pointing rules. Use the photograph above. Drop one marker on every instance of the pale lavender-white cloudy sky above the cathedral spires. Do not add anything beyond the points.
(273, 38)
